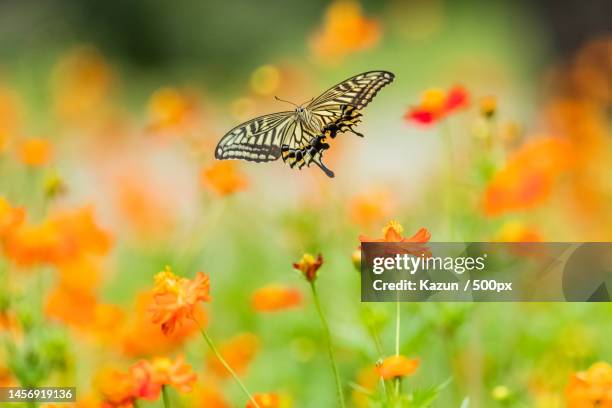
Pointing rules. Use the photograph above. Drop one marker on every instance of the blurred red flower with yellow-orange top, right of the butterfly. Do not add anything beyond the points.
(436, 104)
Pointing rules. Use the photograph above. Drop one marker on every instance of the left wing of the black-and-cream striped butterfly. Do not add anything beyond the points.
(257, 140)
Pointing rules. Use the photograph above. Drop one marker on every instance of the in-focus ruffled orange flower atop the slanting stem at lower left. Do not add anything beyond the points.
(177, 298)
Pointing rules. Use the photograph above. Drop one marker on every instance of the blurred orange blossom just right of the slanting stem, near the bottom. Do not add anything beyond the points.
(238, 352)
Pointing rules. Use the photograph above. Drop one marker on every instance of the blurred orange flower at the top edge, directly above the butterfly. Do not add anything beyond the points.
(345, 30)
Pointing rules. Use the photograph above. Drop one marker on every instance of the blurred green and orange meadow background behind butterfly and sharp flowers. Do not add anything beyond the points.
(109, 115)
